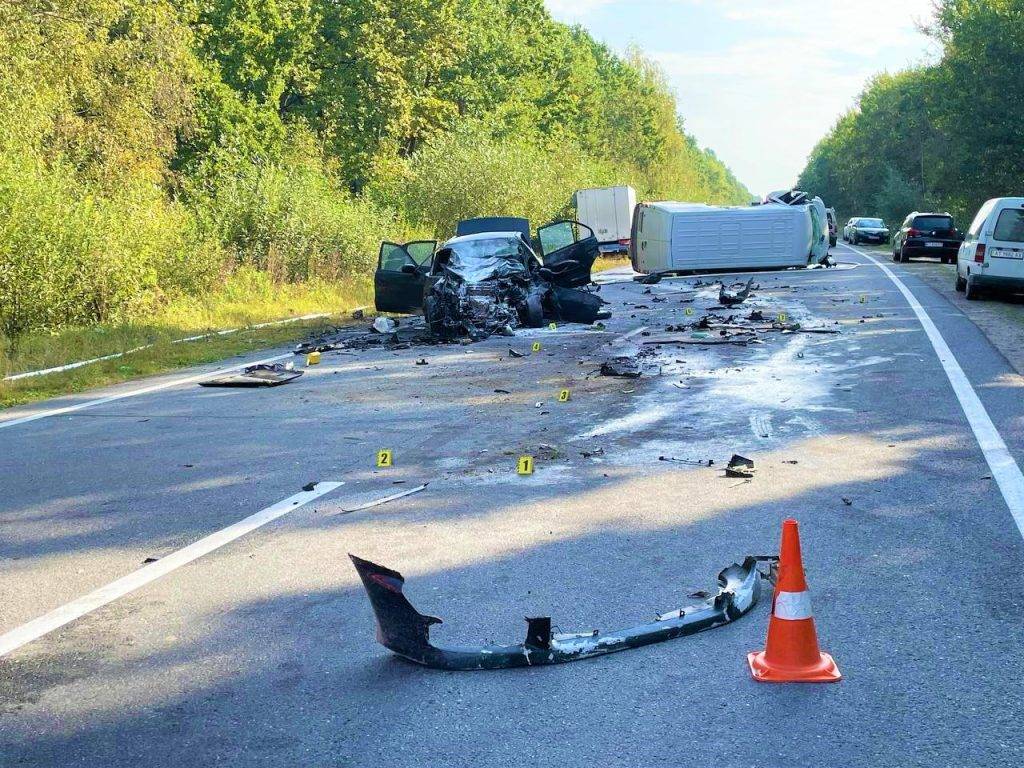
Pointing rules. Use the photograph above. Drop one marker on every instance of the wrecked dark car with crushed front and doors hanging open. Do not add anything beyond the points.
(490, 280)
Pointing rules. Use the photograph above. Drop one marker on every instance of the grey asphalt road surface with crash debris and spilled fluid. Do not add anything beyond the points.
(263, 652)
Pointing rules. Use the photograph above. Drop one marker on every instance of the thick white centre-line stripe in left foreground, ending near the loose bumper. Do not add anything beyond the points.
(35, 629)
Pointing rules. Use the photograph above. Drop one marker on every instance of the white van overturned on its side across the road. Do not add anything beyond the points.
(694, 237)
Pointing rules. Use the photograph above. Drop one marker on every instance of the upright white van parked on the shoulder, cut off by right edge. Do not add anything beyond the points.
(993, 253)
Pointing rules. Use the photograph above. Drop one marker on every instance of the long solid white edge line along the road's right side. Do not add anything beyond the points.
(1005, 470)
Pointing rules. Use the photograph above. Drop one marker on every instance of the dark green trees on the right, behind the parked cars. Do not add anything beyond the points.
(946, 137)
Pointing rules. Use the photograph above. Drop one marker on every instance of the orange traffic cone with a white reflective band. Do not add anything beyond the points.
(792, 654)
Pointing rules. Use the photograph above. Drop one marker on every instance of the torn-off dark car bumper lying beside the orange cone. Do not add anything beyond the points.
(405, 631)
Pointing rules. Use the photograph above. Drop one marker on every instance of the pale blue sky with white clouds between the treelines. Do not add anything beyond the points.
(757, 81)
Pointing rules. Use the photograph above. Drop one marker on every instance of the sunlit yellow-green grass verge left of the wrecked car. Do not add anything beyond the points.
(242, 303)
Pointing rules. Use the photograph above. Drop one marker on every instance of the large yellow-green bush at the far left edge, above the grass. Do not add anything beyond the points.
(72, 255)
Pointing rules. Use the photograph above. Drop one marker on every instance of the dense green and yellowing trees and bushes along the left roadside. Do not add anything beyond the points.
(150, 148)
